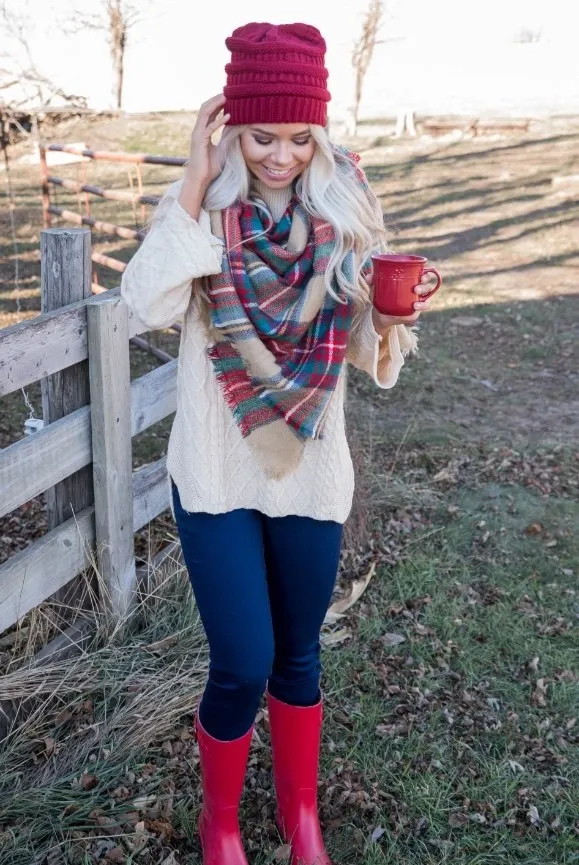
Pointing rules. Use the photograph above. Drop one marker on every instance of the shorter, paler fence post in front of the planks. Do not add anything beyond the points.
(108, 346)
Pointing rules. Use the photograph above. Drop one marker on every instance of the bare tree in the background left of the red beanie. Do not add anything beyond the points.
(115, 18)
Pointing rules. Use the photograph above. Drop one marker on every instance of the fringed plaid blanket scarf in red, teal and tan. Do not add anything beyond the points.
(278, 338)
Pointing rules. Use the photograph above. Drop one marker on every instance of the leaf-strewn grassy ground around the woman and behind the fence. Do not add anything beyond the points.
(451, 685)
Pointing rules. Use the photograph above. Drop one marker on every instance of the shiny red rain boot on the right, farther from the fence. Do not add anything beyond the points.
(295, 742)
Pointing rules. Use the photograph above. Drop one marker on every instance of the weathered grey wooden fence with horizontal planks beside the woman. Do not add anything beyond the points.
(90, 339)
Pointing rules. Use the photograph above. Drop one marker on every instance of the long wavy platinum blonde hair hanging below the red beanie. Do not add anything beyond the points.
(330, 189)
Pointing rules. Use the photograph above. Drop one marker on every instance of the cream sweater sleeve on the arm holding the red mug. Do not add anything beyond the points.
(381, 357)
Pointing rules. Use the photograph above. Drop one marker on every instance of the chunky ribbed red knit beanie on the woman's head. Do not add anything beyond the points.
(276, 75)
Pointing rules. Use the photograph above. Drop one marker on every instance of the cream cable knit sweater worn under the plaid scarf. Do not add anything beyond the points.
(212, 466)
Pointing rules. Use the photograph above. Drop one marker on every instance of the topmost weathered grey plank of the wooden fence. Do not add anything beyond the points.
(49, 343)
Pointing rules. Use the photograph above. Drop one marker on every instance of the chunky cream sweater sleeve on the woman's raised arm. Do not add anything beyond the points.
(156, 283)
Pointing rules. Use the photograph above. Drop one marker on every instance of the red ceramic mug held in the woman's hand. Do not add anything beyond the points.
(394, 278)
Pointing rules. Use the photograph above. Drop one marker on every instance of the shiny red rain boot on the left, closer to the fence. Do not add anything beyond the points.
(223, 767)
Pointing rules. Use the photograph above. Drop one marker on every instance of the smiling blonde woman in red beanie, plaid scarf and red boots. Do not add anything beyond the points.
(263, 248)
